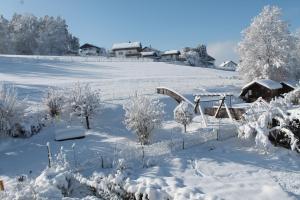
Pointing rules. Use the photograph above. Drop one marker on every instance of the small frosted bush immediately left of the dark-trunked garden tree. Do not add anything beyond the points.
(54, 100)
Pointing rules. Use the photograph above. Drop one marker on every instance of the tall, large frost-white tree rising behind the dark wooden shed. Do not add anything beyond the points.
(265, 50)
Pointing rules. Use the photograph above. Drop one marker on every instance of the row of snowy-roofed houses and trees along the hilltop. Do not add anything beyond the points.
(190, 56)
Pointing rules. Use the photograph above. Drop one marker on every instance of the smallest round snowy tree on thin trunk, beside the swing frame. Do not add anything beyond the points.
(183, 114)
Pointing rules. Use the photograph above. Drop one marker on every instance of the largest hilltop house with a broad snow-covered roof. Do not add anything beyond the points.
(128, 49)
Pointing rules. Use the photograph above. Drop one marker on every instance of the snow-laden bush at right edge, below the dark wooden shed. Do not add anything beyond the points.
(266, 123)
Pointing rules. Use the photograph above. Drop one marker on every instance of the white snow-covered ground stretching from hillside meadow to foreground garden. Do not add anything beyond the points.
(205, 169)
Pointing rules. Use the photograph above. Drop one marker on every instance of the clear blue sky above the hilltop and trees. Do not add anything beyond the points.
(165, 24)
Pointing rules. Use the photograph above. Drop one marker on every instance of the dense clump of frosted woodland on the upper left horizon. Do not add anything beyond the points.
(26, 34)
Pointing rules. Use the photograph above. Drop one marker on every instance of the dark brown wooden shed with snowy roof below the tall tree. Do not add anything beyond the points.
(265, 88)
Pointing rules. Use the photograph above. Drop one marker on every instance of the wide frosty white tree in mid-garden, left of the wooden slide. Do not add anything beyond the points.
(142, 116)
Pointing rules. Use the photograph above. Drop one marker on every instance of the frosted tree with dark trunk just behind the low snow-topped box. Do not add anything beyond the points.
(84, 102)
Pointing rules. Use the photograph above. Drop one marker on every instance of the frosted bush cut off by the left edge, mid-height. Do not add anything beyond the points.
(11, 111)
